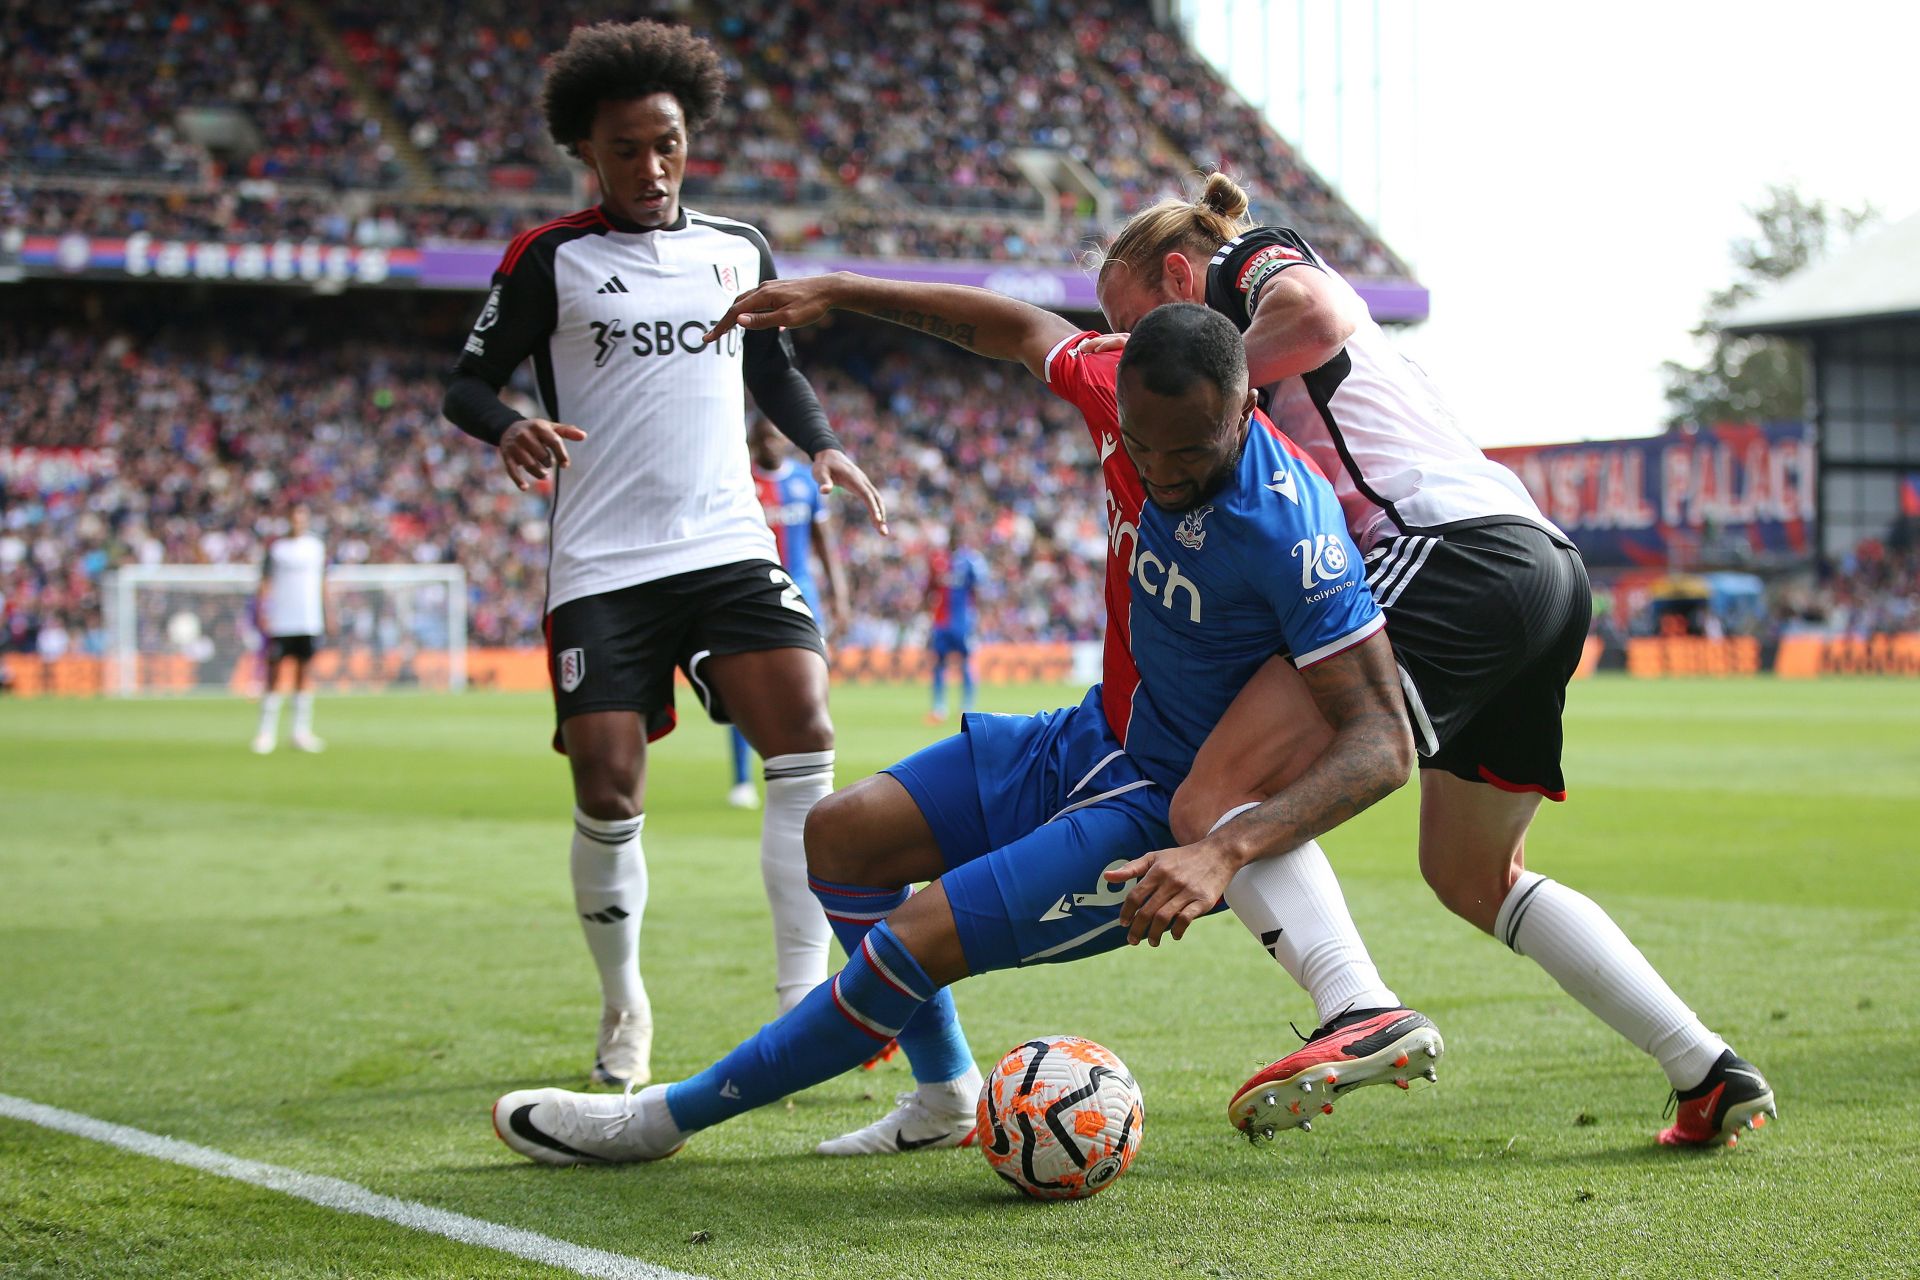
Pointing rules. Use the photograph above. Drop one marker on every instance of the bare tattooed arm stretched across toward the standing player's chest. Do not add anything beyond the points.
(980, 321)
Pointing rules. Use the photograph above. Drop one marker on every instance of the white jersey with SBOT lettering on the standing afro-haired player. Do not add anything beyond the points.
(613, 321)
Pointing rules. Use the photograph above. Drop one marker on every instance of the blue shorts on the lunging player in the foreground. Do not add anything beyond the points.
(1028, 813)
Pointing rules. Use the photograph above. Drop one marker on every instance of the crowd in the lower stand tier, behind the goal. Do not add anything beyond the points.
(187, 448)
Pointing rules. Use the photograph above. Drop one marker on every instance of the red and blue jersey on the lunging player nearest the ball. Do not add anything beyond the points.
(1201, 600)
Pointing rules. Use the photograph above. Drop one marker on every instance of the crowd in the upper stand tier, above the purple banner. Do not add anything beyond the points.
(873, 118)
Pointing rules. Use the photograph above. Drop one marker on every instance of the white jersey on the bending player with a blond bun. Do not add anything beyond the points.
(1370, 419)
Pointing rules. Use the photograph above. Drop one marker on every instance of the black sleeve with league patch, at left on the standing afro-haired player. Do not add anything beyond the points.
(517, 318)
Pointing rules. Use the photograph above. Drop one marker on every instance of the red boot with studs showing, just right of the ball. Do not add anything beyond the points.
(1366, 1047)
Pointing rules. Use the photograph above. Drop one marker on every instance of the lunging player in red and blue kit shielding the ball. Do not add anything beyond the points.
(1032, 828)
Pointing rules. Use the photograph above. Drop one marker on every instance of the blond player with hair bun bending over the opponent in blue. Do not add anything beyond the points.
(1487, 605)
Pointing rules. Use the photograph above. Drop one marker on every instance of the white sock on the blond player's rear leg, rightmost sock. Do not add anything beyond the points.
(1577, 943)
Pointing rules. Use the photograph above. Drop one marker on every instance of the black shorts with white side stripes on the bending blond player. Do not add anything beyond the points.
(1489, 625)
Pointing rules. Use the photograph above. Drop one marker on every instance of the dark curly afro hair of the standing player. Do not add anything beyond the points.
(617, 62)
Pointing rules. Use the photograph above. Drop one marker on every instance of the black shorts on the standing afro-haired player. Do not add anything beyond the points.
(617, 652)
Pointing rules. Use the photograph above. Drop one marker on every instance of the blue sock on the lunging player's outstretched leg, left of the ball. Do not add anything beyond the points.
(834, 1030)
